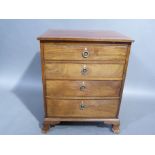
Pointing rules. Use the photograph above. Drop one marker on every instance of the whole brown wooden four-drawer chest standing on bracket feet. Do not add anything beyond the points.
(83, 74)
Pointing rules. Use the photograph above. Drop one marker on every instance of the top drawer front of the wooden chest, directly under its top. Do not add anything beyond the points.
(82, 51)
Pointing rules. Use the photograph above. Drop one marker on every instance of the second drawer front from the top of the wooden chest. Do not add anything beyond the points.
(84, 71)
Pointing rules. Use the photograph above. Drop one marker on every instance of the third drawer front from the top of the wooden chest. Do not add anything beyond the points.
(58, 88)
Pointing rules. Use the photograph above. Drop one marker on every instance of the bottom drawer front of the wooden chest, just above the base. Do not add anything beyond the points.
(82, 108)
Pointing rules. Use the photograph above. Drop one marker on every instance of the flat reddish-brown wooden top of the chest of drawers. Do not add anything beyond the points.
(78, 35)
